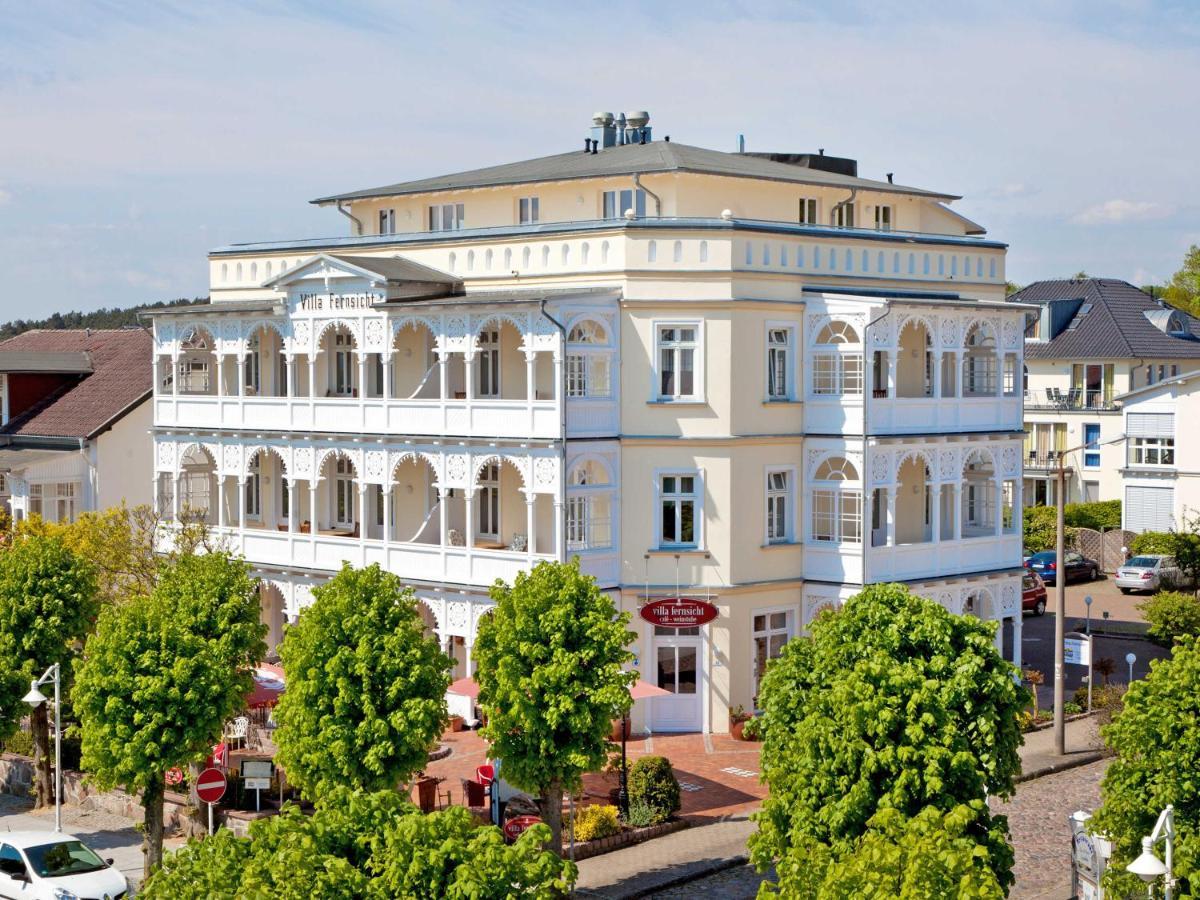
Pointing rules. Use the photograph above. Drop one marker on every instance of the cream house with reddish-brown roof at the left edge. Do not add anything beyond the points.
(75, 416)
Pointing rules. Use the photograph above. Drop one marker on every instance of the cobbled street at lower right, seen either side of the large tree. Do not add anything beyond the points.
(1037, 819)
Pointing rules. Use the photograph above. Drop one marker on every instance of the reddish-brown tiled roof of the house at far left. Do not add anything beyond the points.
(122, 379)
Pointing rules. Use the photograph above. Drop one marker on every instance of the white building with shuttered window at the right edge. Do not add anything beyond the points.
(1161, 471)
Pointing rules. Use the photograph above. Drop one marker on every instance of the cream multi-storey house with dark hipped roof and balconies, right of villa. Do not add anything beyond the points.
(1093, 341)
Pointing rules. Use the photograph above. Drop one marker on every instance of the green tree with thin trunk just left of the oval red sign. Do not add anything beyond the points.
(550, 668)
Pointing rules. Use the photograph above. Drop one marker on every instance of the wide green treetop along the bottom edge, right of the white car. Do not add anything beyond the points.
(364, 845)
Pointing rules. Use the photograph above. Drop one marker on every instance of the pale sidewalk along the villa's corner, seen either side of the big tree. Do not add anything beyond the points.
(699, 851)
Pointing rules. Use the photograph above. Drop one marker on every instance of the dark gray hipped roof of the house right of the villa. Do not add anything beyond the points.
(1108, 319)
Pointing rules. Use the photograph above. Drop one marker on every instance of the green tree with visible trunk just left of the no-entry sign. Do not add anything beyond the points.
(161, 676)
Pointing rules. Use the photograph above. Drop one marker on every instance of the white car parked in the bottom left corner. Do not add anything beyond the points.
(49, 866)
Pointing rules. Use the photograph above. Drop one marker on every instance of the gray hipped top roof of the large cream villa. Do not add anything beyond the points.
(641, 159)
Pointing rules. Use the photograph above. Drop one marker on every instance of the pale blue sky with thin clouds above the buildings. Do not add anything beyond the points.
(136, 137)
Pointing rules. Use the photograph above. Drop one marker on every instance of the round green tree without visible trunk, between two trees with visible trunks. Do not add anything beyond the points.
(367, 687)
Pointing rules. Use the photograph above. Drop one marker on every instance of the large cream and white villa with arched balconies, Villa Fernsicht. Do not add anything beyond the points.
(755, 380)
